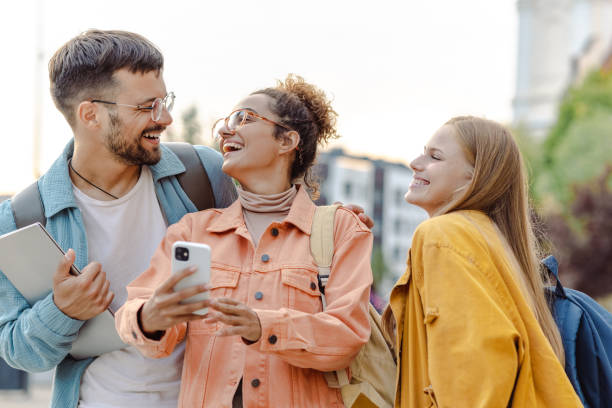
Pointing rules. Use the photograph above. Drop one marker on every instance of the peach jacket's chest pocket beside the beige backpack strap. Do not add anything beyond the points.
(302, 290)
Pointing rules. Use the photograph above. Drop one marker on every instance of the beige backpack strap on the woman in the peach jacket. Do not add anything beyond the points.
(322, 250)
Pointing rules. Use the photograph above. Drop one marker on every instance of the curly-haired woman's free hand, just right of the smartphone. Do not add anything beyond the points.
(240, 319)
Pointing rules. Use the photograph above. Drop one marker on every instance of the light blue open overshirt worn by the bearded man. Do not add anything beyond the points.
(39, 337)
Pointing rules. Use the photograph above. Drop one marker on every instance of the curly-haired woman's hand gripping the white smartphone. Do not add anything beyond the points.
(164, 310)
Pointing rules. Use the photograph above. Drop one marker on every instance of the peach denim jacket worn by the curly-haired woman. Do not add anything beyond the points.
(278, 279)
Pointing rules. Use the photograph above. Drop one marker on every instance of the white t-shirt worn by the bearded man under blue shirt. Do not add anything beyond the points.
(122, 235)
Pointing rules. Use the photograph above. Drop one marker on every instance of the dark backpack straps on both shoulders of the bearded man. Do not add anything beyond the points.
(28, 208)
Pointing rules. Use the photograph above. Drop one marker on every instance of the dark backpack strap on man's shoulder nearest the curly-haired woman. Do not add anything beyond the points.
(194, 180)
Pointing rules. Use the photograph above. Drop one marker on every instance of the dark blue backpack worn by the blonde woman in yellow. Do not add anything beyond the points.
(586, 331)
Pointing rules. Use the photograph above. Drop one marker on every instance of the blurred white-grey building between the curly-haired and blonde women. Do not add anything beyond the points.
(379, 187)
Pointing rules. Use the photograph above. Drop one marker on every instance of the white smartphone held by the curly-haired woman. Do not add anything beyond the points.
(184, 255)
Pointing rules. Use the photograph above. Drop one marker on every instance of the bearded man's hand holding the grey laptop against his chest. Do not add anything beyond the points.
(81, 297)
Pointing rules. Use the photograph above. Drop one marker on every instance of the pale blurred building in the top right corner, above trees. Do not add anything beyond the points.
(560, 41)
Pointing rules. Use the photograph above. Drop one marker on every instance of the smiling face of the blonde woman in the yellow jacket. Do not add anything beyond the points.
(441, 173)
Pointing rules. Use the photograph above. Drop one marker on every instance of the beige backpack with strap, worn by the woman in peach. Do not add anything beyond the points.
(373, 370)
